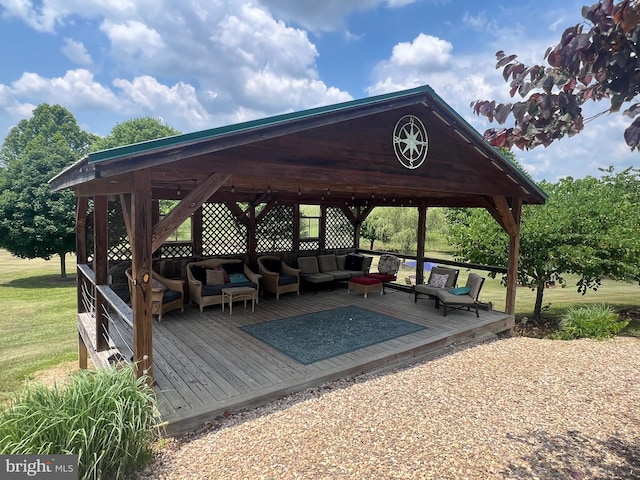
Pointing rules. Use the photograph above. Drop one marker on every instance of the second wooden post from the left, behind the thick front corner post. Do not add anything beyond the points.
(100, 268)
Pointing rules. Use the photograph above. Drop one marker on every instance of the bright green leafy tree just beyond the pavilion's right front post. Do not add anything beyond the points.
(589, 227)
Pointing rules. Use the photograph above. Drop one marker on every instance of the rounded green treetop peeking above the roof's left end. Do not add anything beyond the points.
(135, 130)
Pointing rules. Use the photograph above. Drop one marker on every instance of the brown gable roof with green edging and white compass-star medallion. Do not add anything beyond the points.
(348, 149)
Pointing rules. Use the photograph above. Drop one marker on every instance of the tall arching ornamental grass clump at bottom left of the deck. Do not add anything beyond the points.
(106, 416)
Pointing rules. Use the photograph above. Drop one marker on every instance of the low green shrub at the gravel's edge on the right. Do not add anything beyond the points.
(590, 321)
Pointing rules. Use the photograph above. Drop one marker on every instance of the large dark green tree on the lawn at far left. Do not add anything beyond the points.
(34, 221)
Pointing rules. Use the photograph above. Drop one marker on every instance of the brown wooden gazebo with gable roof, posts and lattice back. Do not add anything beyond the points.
(407, 148)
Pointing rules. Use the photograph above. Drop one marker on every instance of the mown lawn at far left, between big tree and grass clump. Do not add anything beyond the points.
(38, 322)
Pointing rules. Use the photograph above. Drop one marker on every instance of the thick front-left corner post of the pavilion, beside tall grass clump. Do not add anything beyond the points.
(141, 268)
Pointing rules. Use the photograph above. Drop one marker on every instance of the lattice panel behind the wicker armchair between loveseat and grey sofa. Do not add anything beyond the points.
(275, 232)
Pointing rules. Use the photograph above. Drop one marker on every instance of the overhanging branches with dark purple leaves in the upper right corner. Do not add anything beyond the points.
(595, 64)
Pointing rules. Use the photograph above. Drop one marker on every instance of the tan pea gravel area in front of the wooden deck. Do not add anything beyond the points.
(516, 408)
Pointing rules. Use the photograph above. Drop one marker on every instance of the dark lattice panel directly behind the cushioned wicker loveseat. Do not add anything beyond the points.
(222, 233)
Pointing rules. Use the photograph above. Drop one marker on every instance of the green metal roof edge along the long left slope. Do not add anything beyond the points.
(188, 138)
